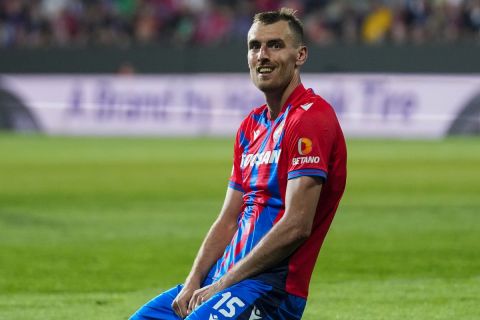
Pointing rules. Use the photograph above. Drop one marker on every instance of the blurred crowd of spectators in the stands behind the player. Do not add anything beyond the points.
(44, 23)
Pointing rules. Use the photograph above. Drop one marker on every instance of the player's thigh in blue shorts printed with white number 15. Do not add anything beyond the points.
(250, 299)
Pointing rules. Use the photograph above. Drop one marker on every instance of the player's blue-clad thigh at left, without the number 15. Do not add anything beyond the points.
(159, 307)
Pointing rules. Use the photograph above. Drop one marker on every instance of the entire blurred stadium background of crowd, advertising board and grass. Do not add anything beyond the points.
(117, 121)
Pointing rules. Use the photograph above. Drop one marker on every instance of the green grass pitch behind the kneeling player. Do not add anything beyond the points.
(91, 228)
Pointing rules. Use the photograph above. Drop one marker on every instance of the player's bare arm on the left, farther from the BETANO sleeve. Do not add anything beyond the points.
(213, 246)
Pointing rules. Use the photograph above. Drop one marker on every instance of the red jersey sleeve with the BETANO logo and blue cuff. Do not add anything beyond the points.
(309, 141)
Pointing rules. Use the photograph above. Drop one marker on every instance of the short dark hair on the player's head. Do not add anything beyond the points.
(283, 14)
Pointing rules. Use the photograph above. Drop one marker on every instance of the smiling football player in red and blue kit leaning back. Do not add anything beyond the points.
(288, 176)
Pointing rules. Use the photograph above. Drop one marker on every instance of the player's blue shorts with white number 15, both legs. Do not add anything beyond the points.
(248, 299)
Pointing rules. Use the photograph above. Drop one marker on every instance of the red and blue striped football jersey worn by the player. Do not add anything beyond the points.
(304, 140)
